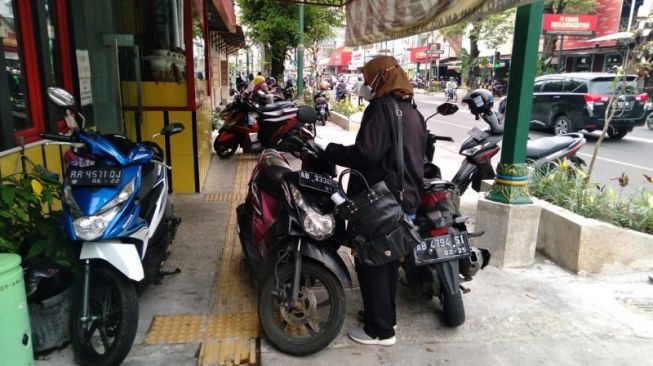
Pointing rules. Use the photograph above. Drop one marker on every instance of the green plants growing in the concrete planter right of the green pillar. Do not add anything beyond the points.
(565, 186)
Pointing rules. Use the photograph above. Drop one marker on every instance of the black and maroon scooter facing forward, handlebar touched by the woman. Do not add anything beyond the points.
(290, 239)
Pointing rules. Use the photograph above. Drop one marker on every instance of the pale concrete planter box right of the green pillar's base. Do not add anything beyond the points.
(581, 244)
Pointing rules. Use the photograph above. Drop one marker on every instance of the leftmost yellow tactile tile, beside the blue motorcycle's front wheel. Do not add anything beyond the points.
(176, 329)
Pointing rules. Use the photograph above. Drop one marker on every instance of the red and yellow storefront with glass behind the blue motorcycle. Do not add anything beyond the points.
(133, 67)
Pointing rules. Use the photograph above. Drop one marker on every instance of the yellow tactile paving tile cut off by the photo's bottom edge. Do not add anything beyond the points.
(227, 352)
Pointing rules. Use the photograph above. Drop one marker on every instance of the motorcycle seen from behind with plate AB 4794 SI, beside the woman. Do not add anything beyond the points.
(444, 258)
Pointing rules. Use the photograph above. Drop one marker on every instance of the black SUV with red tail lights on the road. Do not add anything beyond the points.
(565, 103)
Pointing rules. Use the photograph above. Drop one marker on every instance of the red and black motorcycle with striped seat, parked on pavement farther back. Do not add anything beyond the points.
(253, 128)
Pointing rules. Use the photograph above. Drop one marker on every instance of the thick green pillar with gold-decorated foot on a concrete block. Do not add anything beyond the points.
(511, 184)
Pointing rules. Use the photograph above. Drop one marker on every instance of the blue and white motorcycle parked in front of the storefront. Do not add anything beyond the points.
(116, 207)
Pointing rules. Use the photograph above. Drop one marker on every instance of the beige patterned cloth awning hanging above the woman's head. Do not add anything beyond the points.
(371, 21)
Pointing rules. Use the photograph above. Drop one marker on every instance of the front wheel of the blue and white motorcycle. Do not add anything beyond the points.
(107, 337)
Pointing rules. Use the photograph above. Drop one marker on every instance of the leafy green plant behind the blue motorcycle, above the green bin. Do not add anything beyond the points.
(29, 227)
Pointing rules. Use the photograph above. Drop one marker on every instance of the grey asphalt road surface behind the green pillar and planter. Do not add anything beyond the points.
(633, 155)
